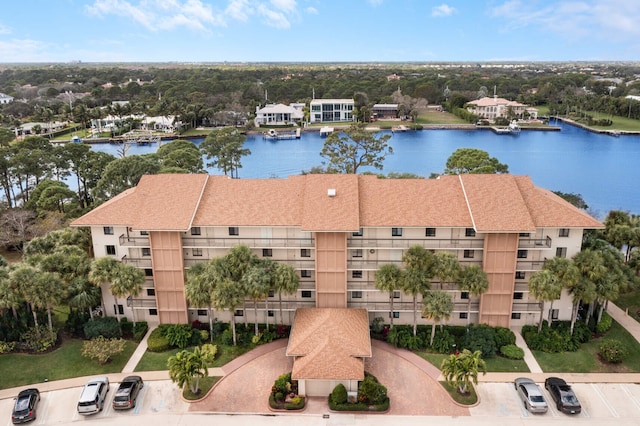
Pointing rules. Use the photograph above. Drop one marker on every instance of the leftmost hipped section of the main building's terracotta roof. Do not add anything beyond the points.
(164, 202)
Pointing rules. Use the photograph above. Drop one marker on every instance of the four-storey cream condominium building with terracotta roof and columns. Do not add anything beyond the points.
(336, 231)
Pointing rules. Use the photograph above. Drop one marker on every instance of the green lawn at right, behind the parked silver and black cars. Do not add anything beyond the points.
(586, 360)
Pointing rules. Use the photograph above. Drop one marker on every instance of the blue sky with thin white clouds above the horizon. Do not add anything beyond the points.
(319, 30)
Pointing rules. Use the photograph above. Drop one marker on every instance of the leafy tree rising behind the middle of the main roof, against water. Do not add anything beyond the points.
(354, 148)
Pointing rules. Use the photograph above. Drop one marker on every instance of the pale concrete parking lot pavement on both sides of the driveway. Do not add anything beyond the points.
(159, 401)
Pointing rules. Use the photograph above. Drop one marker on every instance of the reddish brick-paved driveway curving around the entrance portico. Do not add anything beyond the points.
(411, 383)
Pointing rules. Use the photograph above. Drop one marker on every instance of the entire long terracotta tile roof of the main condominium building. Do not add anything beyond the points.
(489, 203)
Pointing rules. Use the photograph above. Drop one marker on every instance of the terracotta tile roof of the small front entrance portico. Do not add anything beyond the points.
(329, 343)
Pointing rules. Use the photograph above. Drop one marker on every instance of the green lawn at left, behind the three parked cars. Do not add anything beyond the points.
(62, 363)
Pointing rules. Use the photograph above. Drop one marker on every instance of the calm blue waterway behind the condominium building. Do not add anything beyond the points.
(604, 169)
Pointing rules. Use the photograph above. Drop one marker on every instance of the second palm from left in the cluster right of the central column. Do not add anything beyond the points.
(418, 271)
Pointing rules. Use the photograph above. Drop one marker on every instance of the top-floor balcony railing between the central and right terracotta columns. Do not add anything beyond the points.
(428, 243)
